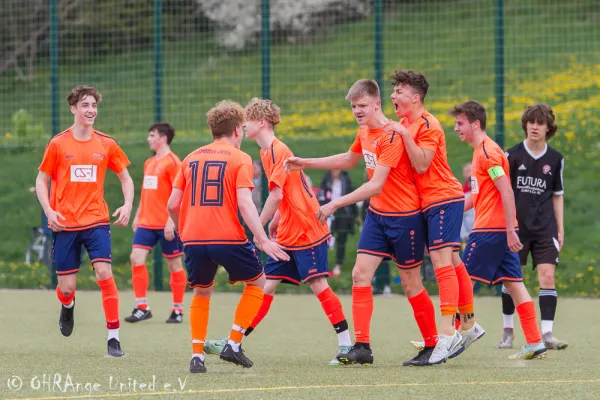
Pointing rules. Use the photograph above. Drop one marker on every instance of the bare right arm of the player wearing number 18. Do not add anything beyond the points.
(250, 216)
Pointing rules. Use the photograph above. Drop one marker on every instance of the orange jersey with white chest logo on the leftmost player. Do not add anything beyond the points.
(77, 169)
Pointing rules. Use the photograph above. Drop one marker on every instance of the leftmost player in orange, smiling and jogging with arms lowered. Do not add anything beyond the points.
(75, 161)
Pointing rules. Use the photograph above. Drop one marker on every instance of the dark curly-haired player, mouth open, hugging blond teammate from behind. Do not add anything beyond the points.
(442, 202)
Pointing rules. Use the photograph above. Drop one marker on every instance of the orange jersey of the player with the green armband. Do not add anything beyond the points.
(489, 212)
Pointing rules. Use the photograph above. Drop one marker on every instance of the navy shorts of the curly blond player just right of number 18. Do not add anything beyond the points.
(303, 266)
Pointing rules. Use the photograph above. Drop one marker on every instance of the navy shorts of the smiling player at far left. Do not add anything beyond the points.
(66, 250)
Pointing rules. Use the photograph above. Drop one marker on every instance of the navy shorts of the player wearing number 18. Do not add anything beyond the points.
(239, 260)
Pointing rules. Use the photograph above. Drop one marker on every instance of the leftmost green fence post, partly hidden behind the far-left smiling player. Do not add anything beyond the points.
(54, 107)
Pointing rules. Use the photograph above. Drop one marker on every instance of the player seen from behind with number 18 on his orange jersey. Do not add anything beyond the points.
(213, 183)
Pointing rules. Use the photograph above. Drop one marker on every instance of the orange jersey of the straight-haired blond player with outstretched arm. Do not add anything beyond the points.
(399, 195)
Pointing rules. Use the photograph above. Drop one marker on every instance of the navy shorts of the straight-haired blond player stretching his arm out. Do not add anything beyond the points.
(400, 238)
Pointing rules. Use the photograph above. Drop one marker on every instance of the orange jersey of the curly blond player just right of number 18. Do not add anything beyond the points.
(298, 227)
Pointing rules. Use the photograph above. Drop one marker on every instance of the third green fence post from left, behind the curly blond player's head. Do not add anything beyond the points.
(265, 47)
